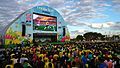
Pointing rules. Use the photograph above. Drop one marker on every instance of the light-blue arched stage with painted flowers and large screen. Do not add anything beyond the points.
(38, 24)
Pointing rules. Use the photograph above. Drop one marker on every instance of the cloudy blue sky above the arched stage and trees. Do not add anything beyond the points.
(81, 16)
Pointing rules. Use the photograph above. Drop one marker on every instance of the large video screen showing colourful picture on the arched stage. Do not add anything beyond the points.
(44, 22)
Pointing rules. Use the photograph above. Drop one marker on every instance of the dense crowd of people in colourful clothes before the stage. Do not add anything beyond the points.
(69, 55)
